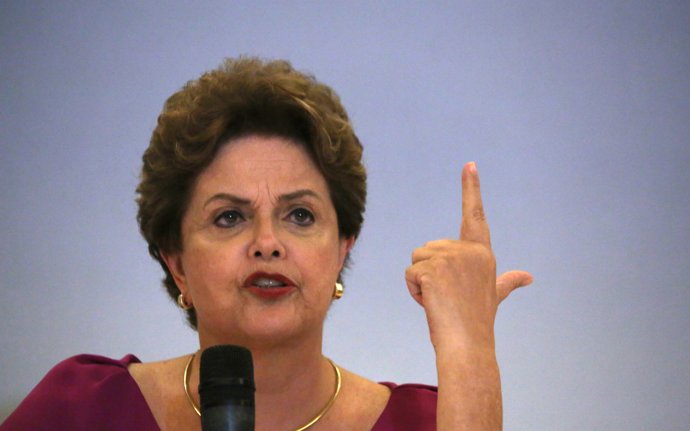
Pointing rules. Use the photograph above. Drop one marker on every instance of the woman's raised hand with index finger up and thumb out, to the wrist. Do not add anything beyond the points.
(455, 280)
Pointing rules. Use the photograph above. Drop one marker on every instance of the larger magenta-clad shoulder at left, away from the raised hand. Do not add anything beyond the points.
(83, 390)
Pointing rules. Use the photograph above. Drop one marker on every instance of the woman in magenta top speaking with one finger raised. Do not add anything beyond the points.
(251, 198)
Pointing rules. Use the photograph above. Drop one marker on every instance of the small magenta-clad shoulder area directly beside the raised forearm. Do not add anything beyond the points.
(410, 407)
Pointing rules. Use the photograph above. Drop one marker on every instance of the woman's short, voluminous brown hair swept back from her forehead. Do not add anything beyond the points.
(244, 96)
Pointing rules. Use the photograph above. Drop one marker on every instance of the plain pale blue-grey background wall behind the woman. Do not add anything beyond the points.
(577, 113)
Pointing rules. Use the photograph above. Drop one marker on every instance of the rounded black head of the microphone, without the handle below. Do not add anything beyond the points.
(226, 376)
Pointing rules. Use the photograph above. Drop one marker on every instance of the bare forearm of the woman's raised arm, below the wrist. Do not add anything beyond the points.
(469, 390)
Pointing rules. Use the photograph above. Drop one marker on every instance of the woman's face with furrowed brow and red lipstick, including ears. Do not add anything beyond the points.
(261, 249)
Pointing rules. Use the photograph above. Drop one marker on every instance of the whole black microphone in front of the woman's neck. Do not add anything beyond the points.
(226, 389)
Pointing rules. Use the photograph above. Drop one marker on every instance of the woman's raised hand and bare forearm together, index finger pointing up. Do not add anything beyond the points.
(455, 281)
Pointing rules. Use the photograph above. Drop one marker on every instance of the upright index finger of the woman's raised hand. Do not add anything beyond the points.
(474, 226)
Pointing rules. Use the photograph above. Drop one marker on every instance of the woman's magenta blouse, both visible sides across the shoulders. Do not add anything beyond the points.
(89, 392)
